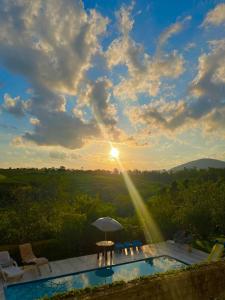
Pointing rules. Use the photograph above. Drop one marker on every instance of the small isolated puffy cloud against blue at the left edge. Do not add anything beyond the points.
(15, 106)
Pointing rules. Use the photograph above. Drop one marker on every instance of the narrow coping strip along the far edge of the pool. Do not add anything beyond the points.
(88, 270)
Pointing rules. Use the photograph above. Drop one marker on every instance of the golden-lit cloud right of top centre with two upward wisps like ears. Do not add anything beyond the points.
(144, 72)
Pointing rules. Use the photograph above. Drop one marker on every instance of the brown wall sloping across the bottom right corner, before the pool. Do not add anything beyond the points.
(205, 282)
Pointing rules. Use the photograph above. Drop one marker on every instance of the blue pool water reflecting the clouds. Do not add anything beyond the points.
(48, 287)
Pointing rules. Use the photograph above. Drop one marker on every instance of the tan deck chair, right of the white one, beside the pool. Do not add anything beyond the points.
(28, 257)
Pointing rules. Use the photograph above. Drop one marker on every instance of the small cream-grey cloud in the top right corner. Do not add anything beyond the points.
(215, 17)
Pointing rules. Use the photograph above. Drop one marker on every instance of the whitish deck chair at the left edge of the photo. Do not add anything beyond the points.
(9, 268)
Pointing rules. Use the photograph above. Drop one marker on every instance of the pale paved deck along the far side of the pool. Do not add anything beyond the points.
(82, 263)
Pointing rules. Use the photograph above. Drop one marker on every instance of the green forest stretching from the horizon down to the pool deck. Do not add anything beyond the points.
(54, 208)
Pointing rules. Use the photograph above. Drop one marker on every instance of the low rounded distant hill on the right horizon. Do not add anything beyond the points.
(203, 163)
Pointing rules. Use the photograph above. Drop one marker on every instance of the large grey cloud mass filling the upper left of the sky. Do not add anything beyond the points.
(53, 53)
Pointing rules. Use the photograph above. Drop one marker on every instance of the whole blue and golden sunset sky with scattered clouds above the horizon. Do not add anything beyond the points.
(146, 76)
